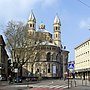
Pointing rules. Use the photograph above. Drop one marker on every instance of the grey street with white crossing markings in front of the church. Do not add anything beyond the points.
(42, 85)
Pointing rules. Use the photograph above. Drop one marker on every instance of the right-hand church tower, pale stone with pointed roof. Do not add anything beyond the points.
(57, 32)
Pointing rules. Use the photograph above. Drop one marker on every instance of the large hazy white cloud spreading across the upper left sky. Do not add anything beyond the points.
(15, 8)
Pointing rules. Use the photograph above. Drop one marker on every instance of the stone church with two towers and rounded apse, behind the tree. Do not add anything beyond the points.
(53, 59)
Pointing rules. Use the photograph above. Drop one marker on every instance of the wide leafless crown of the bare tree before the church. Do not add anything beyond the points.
(17, 42)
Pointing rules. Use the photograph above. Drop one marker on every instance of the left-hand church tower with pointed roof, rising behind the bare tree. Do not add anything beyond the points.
(32, 24)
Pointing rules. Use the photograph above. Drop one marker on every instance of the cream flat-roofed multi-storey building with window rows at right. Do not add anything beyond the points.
(82, 59)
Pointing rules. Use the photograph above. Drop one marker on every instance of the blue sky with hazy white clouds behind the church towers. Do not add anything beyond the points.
(74, 16)
